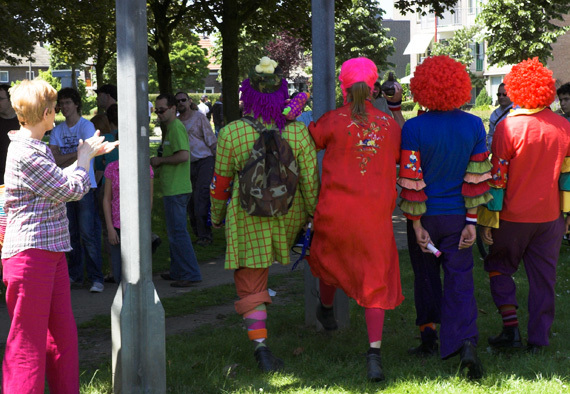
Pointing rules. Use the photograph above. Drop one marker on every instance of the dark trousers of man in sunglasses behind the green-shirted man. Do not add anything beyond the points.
(201, 173)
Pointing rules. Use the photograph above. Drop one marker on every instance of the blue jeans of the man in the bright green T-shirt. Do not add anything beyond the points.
(183, 262)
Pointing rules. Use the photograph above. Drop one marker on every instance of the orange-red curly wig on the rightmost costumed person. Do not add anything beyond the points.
(530, 84)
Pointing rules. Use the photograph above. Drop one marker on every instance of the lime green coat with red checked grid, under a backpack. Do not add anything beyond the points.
(252, 241)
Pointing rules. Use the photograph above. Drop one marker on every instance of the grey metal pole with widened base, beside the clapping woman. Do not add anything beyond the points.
(137, 316)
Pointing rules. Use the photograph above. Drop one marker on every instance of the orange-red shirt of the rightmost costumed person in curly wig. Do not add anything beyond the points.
(535, 146)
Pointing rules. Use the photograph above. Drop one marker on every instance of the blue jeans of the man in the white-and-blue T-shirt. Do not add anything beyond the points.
(85, 232)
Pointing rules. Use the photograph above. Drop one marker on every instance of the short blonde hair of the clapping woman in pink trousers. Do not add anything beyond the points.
(30, 99)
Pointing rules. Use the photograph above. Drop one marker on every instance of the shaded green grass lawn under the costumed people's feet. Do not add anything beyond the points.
(219, 358)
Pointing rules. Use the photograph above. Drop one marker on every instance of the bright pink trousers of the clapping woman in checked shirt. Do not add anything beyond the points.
(43, 335)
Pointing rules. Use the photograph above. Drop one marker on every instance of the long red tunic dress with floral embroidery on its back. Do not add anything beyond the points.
(353, 246)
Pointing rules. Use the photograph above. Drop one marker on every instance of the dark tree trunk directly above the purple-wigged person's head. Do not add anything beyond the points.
(230, 69)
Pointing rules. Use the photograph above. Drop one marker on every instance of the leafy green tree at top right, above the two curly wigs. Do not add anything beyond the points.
(518, 30)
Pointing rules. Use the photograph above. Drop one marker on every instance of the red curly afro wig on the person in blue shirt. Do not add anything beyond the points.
(441, 84)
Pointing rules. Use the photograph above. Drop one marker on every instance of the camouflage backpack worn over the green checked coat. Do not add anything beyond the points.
(268, 181)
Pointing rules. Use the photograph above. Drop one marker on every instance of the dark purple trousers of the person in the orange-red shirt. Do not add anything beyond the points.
(538, 245)
